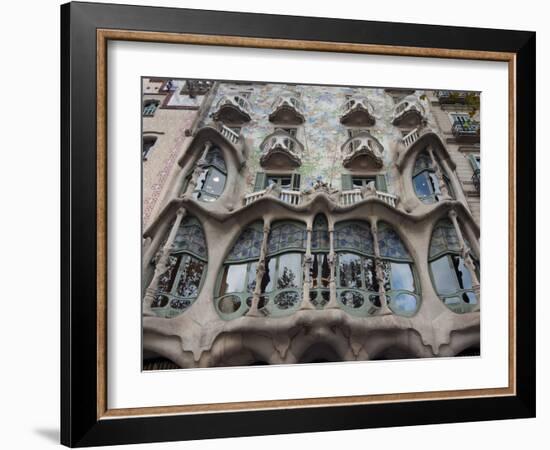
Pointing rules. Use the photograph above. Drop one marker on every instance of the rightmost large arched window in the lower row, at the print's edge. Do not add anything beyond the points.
(451, 278)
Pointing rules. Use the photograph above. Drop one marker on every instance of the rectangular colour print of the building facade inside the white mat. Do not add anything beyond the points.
(311, 223)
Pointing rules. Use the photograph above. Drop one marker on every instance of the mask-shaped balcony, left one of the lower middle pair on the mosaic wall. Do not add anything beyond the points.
(281, 150)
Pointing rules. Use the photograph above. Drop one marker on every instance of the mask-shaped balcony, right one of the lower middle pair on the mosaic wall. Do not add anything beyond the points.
(362, 151)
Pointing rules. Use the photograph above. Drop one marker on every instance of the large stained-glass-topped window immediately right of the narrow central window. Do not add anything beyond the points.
(356, 280)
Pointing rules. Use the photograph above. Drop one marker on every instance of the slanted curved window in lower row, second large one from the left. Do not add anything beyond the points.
(238, 279)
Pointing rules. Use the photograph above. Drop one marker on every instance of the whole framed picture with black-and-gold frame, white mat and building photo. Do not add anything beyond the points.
(277, 224)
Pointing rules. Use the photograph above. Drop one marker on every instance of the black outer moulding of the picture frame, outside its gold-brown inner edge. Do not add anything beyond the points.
(79, 425)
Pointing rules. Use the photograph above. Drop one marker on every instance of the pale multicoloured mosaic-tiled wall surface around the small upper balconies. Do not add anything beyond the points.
(323, 134)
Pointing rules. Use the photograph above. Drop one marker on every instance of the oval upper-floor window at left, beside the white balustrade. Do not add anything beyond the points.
(211, 180)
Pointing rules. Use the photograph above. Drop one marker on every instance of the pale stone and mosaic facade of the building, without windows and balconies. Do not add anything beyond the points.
(197, 335)
